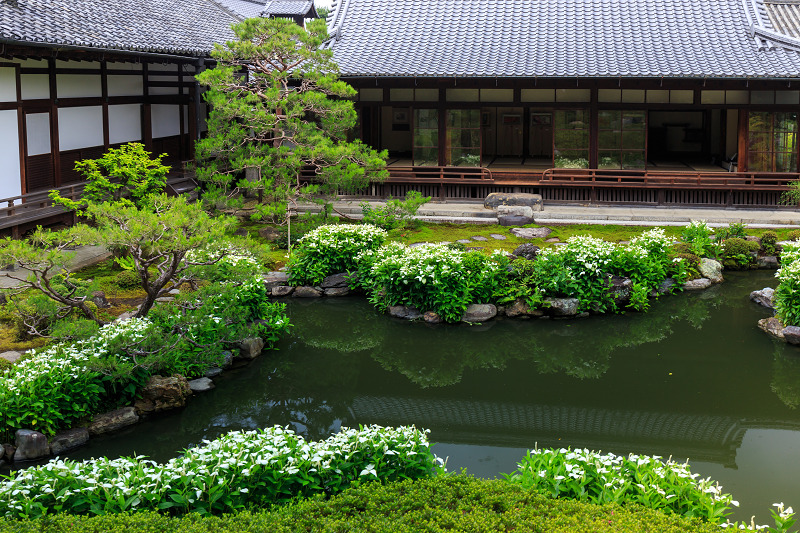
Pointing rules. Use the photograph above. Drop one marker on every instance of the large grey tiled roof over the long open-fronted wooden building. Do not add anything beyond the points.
(555, 38)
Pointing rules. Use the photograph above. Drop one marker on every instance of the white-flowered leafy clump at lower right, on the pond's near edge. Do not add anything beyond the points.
(636, 479)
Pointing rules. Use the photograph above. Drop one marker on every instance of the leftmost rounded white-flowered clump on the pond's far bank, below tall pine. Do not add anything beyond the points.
(331, 249)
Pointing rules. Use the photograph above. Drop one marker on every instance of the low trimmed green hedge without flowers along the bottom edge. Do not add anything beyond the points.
(453, 504)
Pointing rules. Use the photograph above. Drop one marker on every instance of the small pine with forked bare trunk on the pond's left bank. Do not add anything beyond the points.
(158, 239)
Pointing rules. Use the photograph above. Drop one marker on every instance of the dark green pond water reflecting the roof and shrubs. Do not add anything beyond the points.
(693, 378)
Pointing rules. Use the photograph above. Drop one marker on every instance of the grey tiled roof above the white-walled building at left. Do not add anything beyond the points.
(183, 27)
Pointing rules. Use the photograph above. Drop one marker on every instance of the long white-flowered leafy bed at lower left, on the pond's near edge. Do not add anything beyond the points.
(234, 472)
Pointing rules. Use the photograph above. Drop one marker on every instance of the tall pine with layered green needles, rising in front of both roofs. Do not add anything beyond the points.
(277, 106)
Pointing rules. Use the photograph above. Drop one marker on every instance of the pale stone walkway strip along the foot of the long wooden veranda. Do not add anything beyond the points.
(474, 212)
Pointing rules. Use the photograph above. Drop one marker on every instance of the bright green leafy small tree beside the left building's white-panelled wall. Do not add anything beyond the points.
(127, 175)
